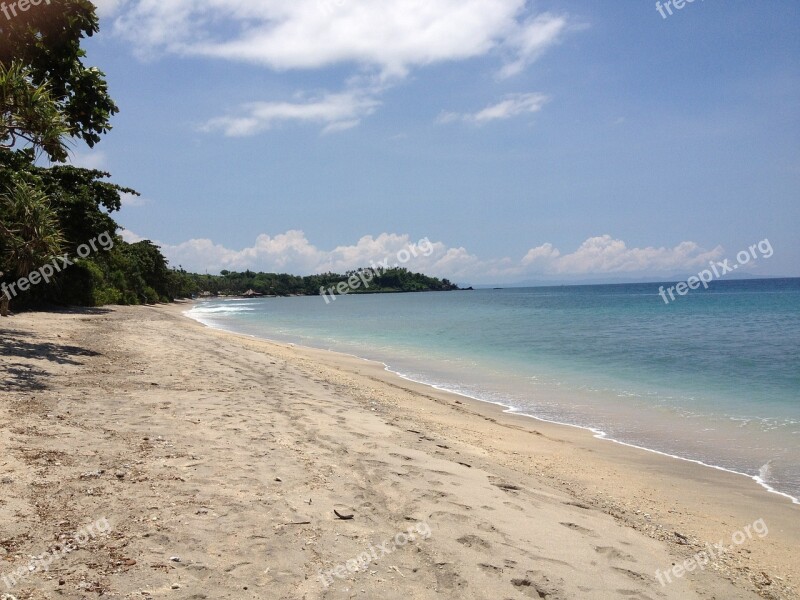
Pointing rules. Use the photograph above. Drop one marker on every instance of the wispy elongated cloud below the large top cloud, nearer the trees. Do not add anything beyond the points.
(336, 112)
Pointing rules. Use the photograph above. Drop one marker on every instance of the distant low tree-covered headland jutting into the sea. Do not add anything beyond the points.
(360, 281)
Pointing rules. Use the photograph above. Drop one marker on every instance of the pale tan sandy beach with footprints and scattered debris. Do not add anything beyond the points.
(218, 461)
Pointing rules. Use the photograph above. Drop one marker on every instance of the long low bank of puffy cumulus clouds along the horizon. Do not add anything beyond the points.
(292, 252)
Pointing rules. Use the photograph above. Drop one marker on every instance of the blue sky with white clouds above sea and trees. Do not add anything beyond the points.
(520, 141)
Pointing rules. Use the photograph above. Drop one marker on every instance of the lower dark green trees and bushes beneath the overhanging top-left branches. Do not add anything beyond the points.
(75, 204)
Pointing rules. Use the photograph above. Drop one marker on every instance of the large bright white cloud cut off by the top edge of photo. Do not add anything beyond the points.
(391, 36)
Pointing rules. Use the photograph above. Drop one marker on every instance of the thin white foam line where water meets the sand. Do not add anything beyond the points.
(511, 410)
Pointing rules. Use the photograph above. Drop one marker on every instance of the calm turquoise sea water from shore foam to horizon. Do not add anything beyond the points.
(712, 377)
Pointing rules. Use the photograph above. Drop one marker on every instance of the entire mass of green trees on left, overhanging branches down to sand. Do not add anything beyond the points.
(48, 95)
